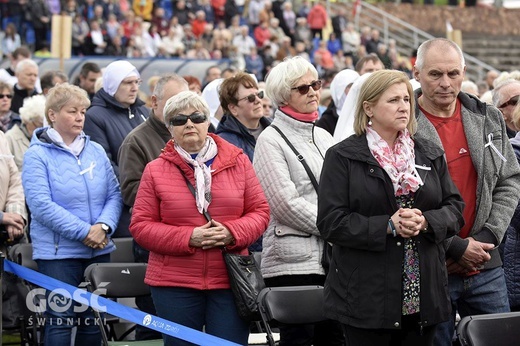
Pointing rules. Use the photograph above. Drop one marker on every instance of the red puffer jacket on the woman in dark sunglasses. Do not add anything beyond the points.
(164, 216)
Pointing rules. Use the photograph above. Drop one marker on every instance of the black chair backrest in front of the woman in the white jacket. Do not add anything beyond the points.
(292, 305)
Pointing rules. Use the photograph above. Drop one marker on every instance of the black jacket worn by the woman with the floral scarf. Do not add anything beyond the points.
(355, 201)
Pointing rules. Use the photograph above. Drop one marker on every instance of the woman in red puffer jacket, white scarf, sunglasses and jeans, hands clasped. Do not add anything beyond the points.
(186, 270)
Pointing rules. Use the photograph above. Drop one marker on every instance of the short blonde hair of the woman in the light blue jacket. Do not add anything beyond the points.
(62, 94)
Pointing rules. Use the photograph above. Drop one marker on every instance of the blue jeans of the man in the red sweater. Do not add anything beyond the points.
(483, 293)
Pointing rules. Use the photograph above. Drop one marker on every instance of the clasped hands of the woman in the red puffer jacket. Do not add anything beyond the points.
(210, 235)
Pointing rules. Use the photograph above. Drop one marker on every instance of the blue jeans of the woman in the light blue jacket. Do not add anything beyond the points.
(59, 324)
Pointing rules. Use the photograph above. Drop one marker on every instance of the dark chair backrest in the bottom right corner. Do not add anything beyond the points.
(491, 329)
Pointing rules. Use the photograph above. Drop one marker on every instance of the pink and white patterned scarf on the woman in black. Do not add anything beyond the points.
(398, 163)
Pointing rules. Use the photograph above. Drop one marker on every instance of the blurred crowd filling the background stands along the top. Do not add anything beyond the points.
(253, 35)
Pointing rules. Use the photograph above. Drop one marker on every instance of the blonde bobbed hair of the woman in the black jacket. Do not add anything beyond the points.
(375, 85)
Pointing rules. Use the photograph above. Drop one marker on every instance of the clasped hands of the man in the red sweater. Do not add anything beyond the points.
(475, 256)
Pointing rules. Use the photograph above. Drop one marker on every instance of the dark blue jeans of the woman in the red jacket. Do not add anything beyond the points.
(214, 309)
